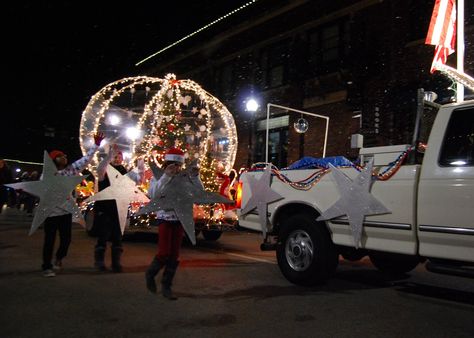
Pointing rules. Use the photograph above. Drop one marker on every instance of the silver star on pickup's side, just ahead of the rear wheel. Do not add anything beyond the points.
(356, 201)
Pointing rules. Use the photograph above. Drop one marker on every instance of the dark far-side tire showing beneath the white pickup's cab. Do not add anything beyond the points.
(393, 263)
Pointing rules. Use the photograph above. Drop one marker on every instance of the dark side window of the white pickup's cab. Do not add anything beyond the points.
(458, 144)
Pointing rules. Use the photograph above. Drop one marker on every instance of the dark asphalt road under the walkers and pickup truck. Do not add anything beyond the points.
(227, 288)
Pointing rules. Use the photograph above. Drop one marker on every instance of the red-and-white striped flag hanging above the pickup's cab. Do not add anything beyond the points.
(442, 31)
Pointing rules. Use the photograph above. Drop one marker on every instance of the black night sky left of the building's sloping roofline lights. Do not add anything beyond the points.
(57, 54)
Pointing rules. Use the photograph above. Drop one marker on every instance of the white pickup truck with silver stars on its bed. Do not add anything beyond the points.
(429, 197)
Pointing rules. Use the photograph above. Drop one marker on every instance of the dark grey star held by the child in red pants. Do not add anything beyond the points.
(179, 195)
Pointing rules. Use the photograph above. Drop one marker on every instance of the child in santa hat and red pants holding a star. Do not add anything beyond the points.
(170, 232)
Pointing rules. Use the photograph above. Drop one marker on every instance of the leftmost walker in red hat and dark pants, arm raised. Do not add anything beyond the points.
(60, 220)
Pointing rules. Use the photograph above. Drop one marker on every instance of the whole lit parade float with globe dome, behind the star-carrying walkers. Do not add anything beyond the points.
(143, 117)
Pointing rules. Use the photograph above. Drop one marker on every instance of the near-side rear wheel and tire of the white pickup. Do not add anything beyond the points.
(305, 253)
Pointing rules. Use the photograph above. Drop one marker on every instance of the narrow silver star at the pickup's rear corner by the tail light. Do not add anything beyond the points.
(262, 195)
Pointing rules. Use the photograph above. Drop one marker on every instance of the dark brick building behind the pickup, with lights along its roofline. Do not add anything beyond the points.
(357, 62)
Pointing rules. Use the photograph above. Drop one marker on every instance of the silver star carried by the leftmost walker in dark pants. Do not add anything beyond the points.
(54, 191)
